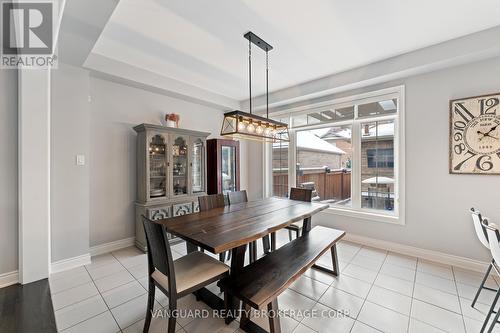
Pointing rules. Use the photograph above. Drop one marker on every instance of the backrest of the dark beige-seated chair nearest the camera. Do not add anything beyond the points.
(159, 252)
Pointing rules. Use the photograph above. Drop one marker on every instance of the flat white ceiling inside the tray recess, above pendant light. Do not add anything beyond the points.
(200, 42)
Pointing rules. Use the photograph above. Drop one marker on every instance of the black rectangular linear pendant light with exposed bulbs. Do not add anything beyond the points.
(246, 125)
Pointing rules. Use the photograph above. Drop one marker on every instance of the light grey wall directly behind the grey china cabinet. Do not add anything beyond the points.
(115, 110)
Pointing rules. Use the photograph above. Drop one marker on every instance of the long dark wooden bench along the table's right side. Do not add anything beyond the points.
(259, 284)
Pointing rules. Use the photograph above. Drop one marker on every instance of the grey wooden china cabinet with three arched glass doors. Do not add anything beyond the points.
(171, 173)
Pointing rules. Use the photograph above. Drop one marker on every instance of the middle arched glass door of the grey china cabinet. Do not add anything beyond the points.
(179, 166)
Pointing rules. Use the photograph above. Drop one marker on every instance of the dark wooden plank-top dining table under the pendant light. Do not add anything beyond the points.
(232, 228)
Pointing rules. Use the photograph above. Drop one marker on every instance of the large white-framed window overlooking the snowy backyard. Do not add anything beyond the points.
(347, 152)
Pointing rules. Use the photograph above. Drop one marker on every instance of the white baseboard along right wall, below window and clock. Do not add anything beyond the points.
(439, 257)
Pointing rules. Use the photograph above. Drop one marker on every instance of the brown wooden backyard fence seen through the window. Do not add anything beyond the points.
(334, 185)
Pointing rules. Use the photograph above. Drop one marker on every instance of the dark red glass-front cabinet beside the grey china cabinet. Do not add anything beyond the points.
(223, 166)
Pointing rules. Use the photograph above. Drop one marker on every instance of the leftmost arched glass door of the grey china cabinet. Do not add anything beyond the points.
(157, 167)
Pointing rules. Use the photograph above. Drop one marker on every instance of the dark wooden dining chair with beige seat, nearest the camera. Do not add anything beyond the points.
(178, 278)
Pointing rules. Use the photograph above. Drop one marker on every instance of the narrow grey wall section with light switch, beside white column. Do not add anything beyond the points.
(70, 136)
